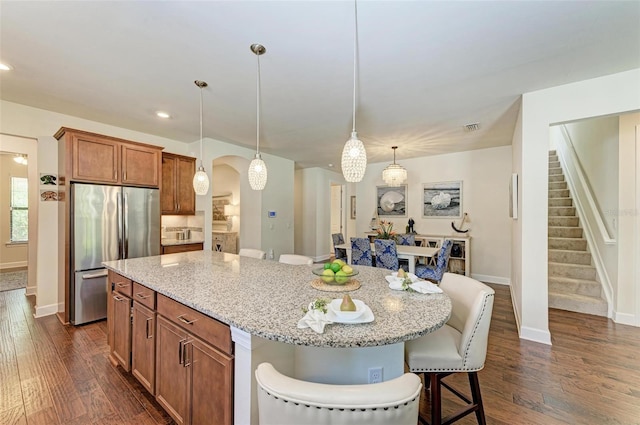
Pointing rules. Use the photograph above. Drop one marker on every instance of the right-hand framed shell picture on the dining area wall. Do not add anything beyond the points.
(442, 200)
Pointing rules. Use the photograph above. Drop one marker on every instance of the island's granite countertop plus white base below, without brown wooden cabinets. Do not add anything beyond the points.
(261, 301)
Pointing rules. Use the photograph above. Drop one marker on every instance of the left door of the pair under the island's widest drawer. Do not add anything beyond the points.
(171, 374)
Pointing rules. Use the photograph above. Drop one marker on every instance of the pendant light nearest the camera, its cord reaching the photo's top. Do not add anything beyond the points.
(354, 156)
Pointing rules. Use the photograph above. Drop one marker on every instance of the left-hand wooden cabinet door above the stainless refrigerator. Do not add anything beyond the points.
(94, 159)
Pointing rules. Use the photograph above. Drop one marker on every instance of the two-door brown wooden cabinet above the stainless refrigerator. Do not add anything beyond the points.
(102, 159)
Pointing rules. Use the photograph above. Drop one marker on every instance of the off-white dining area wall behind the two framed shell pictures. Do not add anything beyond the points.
(485, 175)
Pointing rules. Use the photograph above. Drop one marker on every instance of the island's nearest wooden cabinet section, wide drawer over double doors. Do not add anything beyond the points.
(204, 394)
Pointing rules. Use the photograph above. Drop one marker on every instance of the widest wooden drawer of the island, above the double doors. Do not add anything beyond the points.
(210, 330)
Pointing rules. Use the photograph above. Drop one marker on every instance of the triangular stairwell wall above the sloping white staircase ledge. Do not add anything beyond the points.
(596, 144)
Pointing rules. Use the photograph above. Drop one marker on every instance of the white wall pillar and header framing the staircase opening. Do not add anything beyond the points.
(611, 94)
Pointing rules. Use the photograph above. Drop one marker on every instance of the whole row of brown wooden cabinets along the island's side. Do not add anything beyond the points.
(181, 356)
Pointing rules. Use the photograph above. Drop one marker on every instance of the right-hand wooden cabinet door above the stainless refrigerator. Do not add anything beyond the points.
(140, 165)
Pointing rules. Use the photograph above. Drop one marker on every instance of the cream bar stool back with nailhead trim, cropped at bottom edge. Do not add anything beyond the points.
(287, 401)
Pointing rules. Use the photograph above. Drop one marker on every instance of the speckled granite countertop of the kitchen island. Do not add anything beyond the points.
(265, 298)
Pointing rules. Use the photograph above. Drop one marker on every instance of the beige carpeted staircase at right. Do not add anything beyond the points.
(573, 284)
